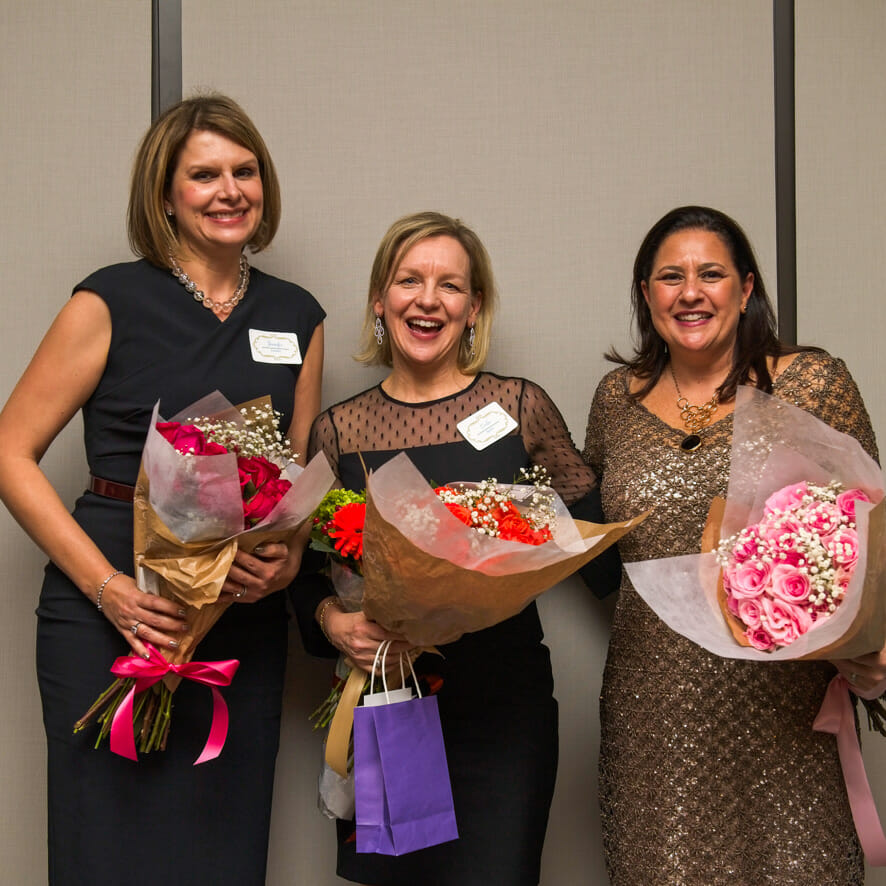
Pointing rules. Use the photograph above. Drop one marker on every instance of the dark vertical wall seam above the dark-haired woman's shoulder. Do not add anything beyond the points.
(785, 168)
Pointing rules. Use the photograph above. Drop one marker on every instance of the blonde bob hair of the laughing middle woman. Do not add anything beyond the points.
(400, 238)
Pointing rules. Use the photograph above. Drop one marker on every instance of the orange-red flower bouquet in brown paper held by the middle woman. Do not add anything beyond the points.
(439, 563)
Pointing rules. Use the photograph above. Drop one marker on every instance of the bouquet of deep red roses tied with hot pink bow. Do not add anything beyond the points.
(213, 480)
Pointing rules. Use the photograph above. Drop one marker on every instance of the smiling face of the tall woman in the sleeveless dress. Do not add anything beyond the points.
(215, 194)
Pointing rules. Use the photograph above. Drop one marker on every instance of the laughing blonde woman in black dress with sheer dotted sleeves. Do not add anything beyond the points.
(428, 317)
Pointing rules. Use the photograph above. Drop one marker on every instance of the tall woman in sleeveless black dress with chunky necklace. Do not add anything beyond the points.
(203, 189)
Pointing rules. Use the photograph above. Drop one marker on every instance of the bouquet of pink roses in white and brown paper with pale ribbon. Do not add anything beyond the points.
(793, 565)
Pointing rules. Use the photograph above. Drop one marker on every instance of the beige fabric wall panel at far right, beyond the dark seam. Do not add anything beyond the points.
(841, 216)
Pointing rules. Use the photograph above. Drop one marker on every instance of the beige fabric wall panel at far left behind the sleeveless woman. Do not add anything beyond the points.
(76, 97)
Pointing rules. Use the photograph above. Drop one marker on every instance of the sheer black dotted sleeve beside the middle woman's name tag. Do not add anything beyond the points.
(549, 444)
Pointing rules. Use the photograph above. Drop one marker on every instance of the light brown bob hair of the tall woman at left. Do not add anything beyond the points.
(152, 233)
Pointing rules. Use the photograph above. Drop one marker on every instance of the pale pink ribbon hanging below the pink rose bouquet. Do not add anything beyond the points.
(836, 716)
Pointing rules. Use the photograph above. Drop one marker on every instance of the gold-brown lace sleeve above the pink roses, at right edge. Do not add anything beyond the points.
(822, 385)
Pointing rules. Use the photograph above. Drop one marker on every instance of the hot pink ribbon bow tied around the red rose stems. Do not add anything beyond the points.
(153, 669)
